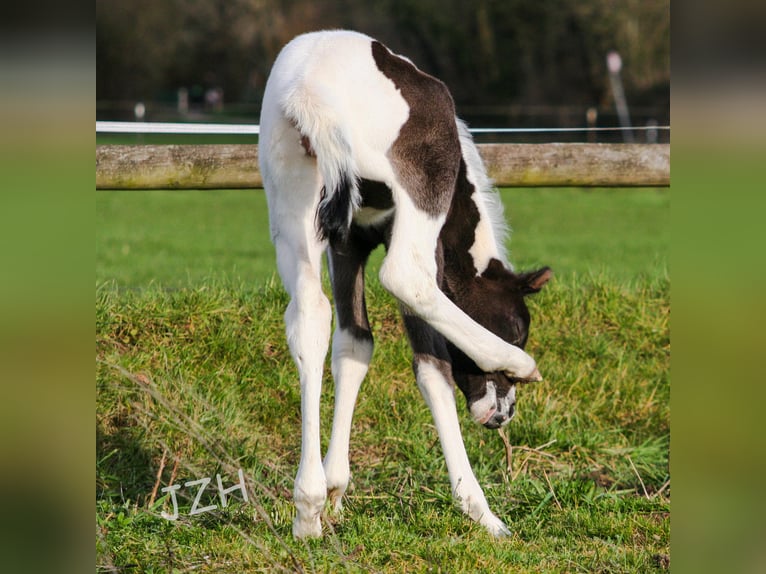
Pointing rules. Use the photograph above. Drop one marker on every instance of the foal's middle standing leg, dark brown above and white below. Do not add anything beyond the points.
(351, 354)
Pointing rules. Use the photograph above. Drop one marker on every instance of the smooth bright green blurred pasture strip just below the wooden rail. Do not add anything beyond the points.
(179, 238)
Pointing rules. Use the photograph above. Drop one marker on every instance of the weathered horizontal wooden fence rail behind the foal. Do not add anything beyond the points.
(509, 165)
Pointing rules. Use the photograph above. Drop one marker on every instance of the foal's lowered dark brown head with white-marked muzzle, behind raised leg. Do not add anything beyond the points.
(495, 300)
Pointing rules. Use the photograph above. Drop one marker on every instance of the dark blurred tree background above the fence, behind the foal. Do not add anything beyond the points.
(510, 63)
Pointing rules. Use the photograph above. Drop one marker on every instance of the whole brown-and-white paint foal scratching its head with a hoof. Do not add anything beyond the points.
(357, 148)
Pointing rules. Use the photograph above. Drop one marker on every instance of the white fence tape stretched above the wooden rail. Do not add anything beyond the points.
(244, 129)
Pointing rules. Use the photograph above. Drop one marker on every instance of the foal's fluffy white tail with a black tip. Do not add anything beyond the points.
(322, 127)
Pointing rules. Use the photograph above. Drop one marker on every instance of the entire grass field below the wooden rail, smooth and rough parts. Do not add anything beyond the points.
(194, 380)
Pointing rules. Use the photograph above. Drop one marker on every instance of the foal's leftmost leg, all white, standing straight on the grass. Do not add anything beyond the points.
(293, 192)
